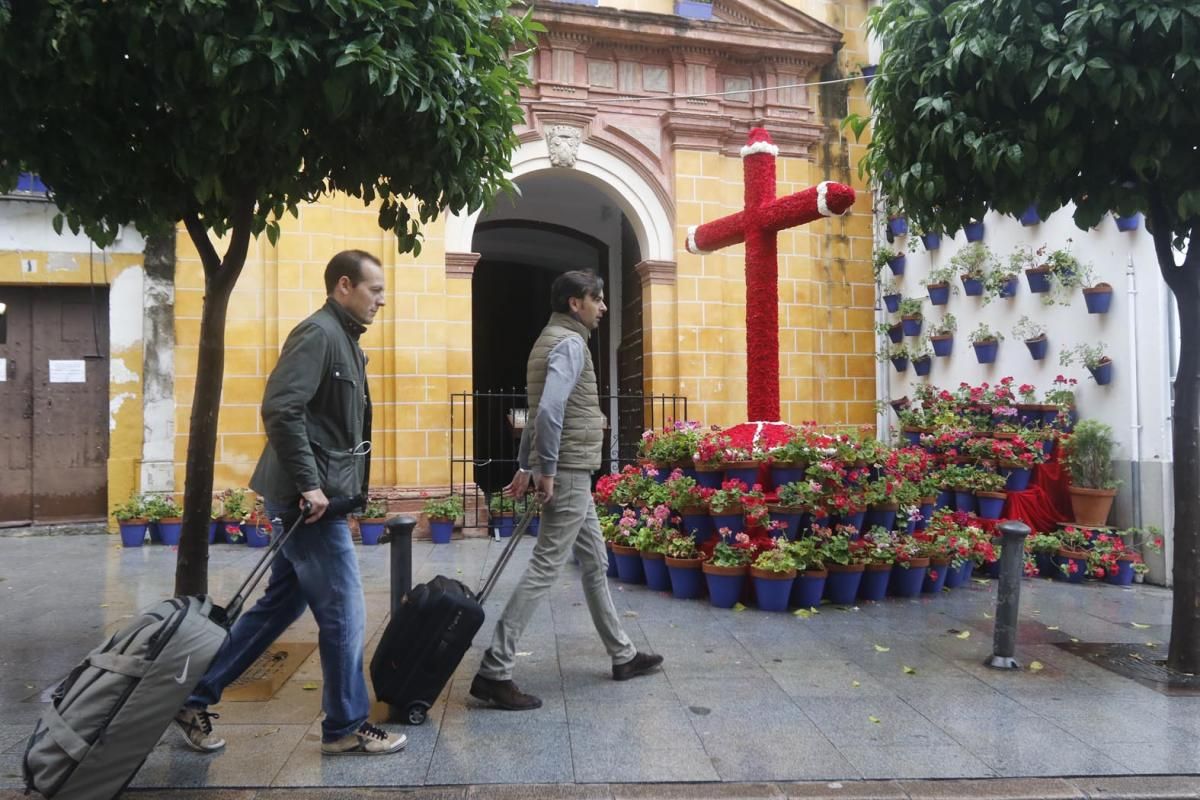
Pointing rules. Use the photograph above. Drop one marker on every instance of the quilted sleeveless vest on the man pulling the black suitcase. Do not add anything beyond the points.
(583, 443)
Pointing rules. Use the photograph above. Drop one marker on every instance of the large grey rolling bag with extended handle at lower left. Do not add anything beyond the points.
(111, 711)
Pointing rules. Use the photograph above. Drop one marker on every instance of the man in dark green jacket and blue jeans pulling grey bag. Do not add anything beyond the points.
(317, 416)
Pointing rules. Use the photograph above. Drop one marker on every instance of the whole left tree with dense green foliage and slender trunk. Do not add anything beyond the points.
(226, 115)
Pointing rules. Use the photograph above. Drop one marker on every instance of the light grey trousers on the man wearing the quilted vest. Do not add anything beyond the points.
(569, 520)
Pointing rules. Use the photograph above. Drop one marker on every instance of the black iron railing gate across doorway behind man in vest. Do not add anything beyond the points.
(485, 437)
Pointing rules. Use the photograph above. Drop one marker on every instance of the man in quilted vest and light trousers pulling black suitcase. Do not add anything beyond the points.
(561, 448)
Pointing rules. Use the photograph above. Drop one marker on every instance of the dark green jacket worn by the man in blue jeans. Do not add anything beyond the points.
(317, 412)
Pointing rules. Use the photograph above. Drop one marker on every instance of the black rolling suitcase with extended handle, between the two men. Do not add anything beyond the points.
(429, 636)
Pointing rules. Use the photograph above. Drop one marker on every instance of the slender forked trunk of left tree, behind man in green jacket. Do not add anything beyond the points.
(220, 278)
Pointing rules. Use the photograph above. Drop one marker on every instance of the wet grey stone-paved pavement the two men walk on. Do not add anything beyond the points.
(884, 700)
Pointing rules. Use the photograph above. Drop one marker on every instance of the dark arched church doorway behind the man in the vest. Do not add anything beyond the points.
(557, 224)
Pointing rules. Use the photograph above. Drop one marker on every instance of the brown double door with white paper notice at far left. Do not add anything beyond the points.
(53, 405)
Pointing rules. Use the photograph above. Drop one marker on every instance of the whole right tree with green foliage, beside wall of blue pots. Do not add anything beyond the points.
(1001, 104)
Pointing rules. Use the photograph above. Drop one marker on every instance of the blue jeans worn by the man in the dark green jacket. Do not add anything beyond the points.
(320, 570)
